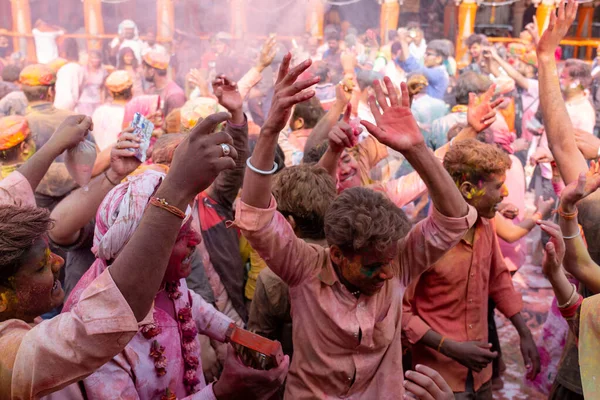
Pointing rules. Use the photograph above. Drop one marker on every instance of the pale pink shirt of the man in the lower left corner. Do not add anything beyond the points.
(37, 359)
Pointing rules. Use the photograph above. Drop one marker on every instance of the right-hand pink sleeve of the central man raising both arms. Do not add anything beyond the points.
(430, 239)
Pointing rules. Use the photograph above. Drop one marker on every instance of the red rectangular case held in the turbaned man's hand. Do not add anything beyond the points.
(254, 350)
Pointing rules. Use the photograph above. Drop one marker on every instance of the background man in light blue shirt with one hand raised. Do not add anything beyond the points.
(433, 69)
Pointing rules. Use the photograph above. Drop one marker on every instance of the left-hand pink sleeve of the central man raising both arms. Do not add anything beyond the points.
(268, 232)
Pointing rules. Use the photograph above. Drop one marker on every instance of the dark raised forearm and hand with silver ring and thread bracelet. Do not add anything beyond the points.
(196, 163)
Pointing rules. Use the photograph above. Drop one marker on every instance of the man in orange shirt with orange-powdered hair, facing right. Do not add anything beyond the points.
(445, 310)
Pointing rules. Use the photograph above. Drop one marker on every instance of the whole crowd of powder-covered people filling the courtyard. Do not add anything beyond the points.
(361, 201)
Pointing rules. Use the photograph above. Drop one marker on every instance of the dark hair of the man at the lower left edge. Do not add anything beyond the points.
(20, 228)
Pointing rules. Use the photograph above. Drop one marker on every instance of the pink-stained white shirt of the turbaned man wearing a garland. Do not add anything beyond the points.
(131, 374)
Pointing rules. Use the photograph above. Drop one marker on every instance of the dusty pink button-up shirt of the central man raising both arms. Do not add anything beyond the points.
(330, 361)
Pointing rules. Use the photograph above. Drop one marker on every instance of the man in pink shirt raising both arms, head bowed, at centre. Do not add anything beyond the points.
(346, 300)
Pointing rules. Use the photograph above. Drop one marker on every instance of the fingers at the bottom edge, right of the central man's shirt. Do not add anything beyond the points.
(426, 384)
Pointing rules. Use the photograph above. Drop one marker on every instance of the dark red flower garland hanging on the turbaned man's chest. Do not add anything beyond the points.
(189, 332)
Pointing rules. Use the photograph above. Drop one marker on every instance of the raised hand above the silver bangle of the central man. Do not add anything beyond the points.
(288, 93)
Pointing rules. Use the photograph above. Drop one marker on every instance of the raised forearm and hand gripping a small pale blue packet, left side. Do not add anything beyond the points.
(76, 210)
